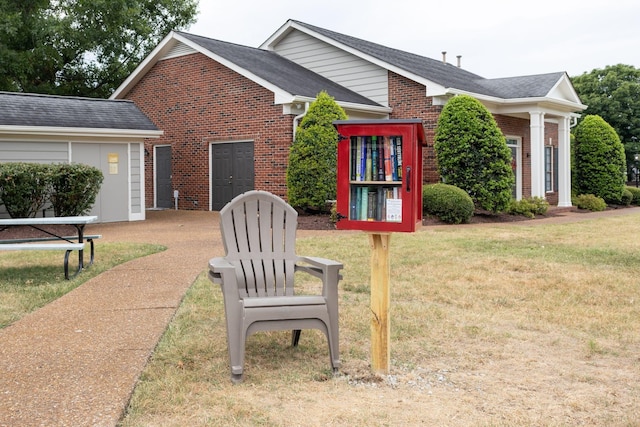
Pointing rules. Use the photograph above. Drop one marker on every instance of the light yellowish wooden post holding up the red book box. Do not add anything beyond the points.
(380, 298)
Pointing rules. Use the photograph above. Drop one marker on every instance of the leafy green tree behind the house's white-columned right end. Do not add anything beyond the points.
(613, 93)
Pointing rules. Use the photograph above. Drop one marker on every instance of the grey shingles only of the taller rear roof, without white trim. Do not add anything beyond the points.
(445, 74)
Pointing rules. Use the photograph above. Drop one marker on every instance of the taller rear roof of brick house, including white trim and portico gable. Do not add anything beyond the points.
(426, 70)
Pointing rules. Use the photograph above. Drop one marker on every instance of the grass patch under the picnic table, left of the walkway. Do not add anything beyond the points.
(31, 279)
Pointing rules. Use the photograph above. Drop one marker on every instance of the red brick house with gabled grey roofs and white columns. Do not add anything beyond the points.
(229, 112)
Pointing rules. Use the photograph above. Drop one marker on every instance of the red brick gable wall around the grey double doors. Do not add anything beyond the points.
(197, 101)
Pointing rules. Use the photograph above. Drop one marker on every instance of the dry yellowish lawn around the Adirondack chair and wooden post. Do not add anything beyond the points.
(498, 325)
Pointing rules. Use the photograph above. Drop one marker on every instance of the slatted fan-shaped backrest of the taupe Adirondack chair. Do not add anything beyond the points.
(258, 231)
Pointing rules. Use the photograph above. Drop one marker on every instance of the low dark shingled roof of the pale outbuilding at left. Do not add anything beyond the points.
(21, 109)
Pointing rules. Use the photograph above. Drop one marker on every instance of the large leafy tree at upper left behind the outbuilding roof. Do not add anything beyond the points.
(81, 47)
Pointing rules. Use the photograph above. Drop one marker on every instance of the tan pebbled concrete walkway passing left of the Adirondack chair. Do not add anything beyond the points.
(76, 361)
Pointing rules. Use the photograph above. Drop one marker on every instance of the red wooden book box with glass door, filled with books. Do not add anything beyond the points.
(379, 182)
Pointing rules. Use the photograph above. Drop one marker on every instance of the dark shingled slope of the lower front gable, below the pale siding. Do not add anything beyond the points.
(277, 70)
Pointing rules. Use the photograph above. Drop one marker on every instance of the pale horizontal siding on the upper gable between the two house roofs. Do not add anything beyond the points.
(335, 64)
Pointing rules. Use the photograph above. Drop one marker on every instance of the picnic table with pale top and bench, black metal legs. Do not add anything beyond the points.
(67, 243)
